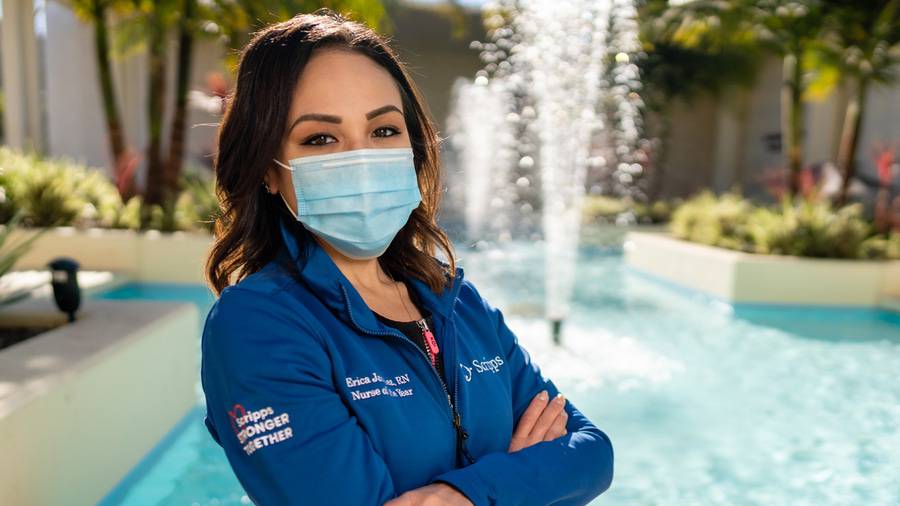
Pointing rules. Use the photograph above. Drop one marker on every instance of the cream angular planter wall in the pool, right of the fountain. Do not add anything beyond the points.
(748, 278)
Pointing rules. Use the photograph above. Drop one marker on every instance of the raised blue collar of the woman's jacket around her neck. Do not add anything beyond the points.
(330, 285)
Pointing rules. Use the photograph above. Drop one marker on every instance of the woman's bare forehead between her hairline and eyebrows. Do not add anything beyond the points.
(343, 82)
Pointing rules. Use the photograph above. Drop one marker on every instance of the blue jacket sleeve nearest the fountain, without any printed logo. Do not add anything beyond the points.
(569, 470)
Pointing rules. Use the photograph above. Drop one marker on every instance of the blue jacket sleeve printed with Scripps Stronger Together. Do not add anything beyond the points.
(273, 407)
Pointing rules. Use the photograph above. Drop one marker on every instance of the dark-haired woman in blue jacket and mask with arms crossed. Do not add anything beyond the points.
(343, 363)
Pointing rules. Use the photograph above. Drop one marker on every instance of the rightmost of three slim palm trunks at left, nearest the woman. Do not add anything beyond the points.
(182, 84)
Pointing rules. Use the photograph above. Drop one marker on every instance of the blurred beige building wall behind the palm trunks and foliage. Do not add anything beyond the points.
(714, 143)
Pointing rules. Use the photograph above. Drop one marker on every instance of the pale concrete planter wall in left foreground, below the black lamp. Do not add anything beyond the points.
(80, 405)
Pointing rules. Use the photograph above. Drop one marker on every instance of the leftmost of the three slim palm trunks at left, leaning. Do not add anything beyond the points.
(111, 112)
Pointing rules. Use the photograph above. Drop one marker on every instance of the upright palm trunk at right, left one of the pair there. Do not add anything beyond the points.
(792, 119)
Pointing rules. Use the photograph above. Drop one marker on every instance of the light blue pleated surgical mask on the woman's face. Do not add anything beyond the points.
(356, 200)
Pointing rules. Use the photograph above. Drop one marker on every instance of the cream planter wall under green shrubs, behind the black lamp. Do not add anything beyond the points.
(175, 257)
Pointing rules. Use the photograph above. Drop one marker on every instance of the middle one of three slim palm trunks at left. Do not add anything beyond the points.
(156, 190)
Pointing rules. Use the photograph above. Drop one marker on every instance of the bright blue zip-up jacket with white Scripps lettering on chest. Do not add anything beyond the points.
(317, 402)
